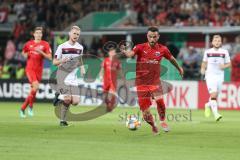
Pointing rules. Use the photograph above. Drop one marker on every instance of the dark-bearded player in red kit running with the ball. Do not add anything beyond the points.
(148, 83)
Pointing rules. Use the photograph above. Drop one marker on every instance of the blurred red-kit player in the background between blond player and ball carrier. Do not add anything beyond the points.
(111, 67)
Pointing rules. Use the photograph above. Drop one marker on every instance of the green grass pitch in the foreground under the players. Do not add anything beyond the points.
(107, 138)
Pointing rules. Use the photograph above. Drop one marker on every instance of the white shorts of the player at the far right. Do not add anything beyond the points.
(214, 83)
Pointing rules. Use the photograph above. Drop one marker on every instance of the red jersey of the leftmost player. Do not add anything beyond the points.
(35, 59)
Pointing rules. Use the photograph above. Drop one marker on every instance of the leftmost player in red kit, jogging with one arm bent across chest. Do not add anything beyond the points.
(35, 51)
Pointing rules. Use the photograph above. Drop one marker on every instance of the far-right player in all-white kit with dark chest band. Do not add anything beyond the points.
(215, 60)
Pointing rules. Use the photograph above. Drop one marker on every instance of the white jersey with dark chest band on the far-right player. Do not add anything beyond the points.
(214, 58)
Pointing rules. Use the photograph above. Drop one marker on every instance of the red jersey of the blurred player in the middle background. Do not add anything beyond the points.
(111, 68)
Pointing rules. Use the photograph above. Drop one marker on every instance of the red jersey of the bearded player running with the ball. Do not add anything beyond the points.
(148, 63)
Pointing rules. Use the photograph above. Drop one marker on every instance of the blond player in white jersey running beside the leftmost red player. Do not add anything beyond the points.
(67, 52)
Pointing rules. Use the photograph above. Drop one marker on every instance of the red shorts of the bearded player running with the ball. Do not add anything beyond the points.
(145, 94)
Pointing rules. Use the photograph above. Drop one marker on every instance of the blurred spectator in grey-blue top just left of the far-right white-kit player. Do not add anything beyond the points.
(191, 66)
